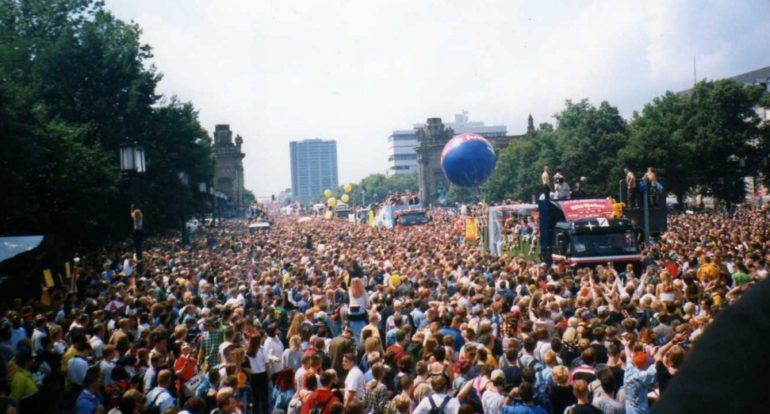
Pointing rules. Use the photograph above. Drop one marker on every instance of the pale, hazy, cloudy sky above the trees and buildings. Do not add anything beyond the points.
(355, 70)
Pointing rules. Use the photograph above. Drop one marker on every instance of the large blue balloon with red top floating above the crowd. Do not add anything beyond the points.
(468, 160)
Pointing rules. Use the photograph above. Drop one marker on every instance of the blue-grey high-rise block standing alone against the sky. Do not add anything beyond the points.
(313, 168)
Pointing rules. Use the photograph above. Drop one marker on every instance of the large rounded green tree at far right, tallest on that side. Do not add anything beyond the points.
(707, 139)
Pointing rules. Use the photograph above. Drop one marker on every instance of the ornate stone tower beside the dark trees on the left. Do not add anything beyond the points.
(228, 174)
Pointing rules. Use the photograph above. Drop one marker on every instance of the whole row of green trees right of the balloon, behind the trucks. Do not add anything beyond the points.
(707, 140)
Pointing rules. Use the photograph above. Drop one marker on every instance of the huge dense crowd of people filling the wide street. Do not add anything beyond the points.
(331, 317)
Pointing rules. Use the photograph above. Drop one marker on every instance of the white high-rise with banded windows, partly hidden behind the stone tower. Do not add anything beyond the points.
(402, 156)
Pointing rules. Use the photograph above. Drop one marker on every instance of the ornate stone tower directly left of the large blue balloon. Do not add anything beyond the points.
(431, 139)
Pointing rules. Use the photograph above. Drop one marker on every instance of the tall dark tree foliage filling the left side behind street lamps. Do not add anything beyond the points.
(75, 83)
